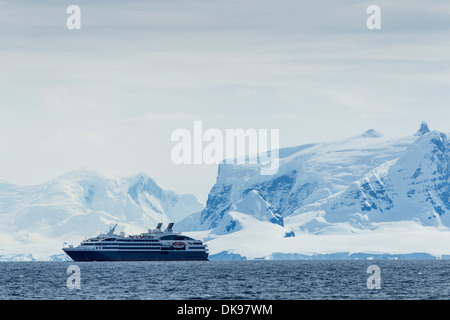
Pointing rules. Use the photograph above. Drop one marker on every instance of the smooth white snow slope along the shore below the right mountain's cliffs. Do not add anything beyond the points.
(261, 240)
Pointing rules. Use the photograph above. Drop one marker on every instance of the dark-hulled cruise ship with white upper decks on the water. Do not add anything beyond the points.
(155, 245)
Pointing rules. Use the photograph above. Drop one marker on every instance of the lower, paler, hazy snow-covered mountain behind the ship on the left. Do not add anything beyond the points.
(36, 220)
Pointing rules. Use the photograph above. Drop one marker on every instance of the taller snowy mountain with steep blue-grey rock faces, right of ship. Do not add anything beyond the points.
(374, 188)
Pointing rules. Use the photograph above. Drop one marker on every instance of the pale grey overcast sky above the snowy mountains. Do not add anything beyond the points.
(108, 96)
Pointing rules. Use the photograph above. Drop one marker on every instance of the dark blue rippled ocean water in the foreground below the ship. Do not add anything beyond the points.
(252, 280)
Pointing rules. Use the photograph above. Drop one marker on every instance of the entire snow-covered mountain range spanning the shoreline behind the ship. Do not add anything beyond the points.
(366, 196)
